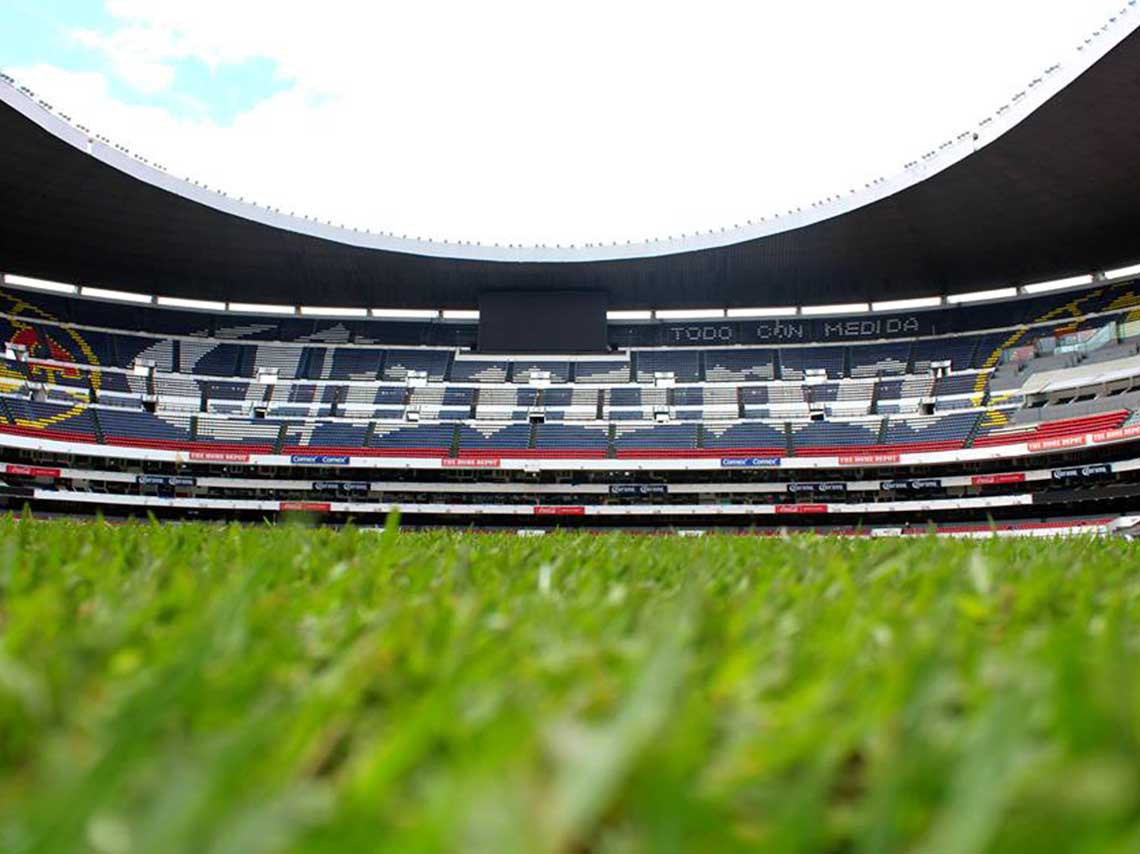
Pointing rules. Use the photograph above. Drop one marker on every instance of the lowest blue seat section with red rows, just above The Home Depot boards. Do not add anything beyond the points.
(74, 421)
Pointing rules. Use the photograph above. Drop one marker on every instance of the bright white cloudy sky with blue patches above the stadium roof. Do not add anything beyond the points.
(536, 123)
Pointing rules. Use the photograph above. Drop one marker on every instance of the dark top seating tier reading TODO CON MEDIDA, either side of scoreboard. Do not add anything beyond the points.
(837, 330)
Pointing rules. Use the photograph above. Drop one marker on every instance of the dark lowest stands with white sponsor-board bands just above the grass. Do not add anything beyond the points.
(1090, 482)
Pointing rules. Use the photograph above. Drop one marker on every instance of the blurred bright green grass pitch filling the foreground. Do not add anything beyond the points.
(241, 690)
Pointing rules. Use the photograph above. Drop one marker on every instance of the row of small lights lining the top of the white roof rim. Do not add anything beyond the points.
(966, 137)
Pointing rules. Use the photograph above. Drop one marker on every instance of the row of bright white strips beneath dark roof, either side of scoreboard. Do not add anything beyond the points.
(844, 310)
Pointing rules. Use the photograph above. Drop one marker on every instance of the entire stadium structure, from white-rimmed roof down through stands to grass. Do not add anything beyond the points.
(910, 368)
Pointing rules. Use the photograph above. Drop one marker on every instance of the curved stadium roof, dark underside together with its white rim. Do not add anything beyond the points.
(1047, 189)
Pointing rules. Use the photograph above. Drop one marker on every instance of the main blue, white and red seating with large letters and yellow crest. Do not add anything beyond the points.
(371, 391)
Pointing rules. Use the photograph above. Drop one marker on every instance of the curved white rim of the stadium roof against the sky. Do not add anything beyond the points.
(948, 154)
